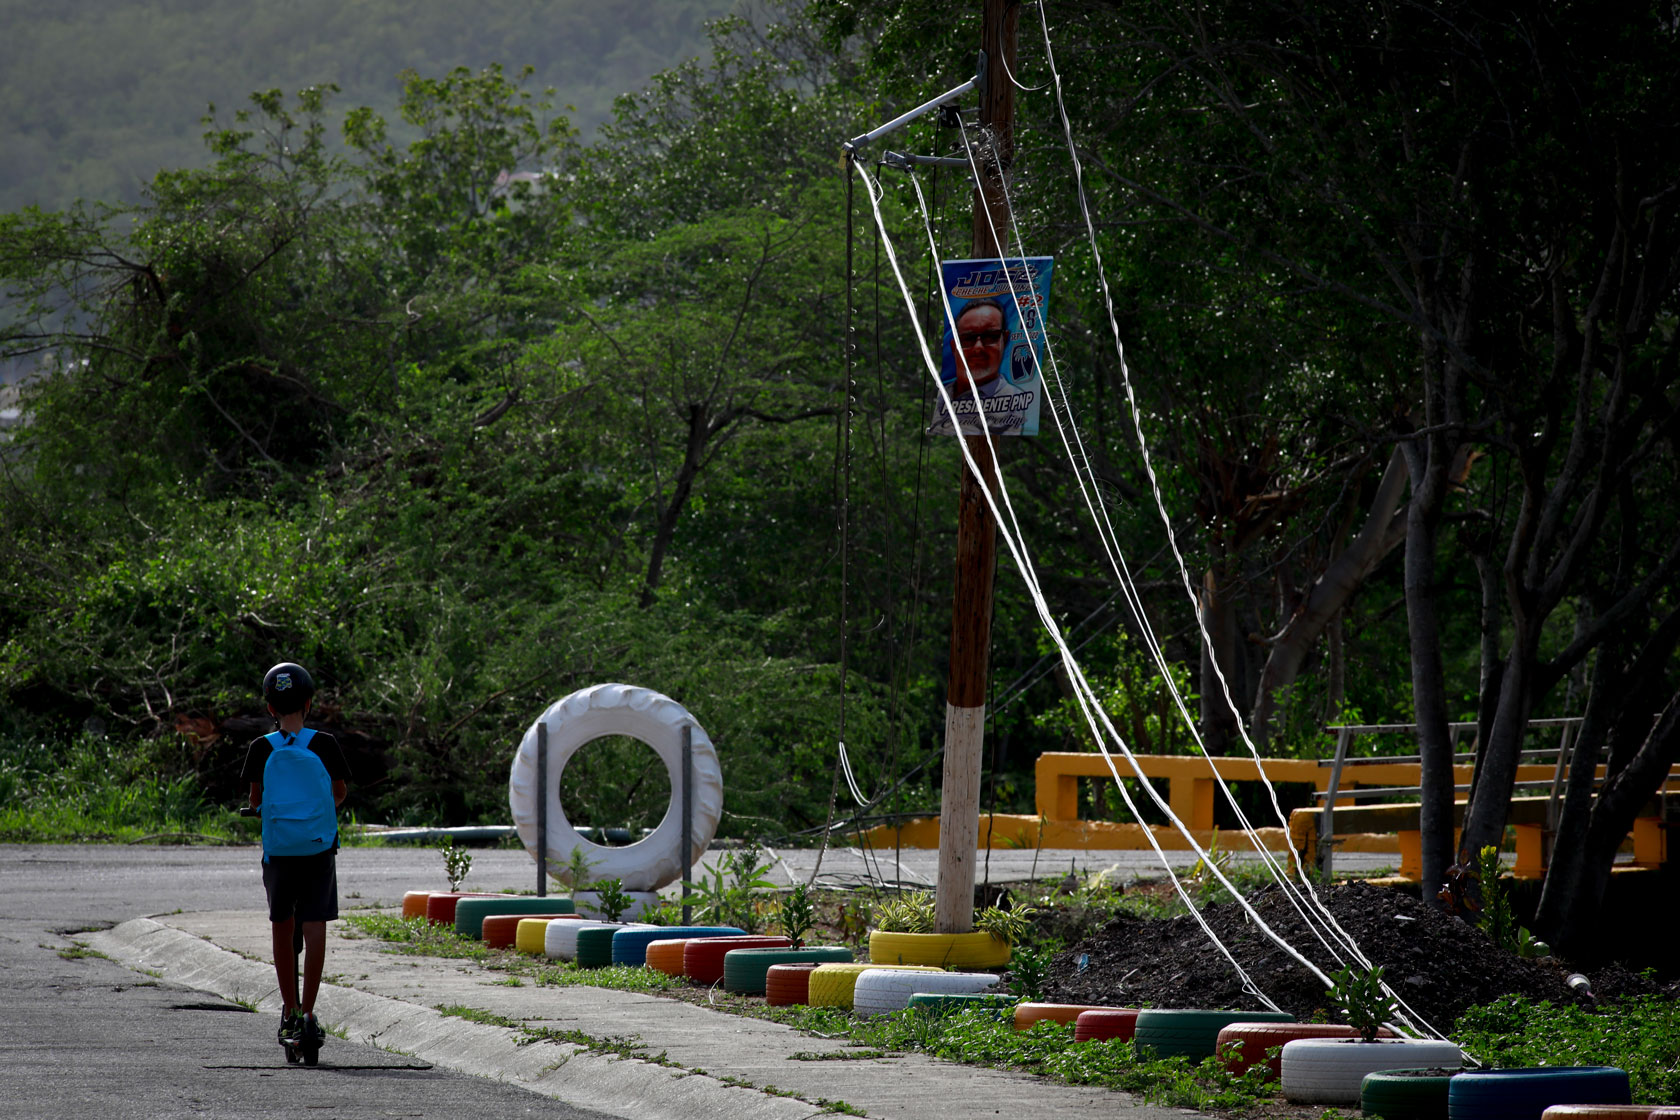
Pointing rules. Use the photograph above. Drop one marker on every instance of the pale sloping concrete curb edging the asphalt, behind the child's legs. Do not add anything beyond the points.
(627, 1087)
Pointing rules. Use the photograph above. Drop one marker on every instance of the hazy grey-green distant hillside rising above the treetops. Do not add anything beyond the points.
(98, 98)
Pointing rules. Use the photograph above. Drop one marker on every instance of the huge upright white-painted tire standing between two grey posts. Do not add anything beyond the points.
(658, 721)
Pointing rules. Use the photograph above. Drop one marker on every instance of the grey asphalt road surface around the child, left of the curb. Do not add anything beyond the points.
(87, 1039)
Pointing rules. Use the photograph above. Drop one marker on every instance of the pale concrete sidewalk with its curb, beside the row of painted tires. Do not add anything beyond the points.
(690, 1062)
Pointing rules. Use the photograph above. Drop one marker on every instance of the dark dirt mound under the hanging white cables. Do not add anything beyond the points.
(1439, 965)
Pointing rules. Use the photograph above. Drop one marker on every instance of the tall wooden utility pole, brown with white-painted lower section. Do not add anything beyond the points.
(977, 531)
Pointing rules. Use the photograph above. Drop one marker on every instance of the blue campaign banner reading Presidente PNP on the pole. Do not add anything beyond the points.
(994, 357)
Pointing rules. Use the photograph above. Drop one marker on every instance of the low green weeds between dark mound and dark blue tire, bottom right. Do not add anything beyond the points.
(1639, 1035)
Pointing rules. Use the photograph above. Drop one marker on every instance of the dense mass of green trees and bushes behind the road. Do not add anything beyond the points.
(1394, 315)
